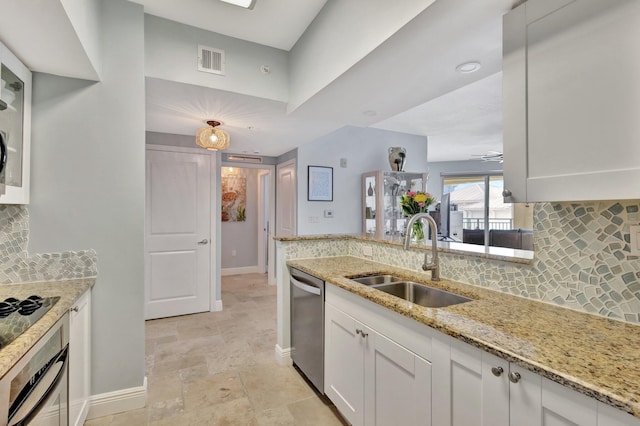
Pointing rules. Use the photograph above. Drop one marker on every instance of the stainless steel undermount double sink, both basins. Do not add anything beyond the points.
(410, 291)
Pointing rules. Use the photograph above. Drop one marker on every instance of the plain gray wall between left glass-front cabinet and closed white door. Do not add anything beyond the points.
(88, 188)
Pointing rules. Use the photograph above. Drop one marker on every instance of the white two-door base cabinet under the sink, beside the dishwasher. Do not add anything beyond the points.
(371, 378)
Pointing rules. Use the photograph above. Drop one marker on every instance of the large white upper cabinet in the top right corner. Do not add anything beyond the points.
(572, 100)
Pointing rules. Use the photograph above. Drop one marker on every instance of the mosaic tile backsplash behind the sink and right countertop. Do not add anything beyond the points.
(582, 259)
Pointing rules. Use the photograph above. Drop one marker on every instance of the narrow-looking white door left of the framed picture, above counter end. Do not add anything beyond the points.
(286, 199)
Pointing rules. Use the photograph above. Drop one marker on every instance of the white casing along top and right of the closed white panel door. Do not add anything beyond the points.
(215, 304)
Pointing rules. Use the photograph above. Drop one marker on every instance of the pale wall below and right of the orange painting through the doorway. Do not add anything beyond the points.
(243, 236)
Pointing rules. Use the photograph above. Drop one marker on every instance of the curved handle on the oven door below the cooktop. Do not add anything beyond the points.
(34, 397)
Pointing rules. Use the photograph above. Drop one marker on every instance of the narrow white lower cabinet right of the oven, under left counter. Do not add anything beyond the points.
(80, 360)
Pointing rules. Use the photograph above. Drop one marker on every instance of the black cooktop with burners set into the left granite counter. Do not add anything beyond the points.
(16, 316)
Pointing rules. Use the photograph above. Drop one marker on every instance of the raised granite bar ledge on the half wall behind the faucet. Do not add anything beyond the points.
(494, 253)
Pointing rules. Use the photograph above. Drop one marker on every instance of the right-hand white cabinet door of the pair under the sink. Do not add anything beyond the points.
(397, 383)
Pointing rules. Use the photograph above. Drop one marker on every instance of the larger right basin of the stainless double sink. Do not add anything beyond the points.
(422, 295)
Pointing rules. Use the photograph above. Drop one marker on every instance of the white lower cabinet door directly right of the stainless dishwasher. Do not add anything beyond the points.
(343, 379)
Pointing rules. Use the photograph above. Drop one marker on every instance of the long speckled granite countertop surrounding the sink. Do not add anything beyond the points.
(591, 354)
